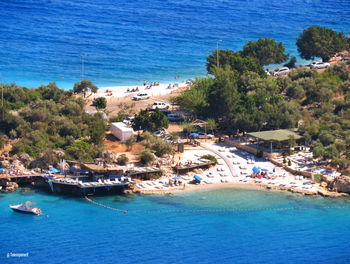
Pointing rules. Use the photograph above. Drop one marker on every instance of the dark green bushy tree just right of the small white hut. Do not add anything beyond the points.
(150, 121)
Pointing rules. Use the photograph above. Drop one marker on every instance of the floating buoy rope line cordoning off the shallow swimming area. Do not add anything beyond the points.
(223, 210)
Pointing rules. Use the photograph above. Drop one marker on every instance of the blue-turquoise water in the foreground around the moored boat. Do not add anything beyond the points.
(217, 226)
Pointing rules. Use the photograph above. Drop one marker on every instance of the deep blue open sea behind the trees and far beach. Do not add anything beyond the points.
(124, 42)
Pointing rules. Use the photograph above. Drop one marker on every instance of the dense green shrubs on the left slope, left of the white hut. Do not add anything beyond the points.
(48, 123)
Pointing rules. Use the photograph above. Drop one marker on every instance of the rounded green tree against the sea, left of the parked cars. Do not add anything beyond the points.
(265, 50)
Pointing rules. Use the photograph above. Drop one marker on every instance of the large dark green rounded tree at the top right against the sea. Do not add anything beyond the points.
(317, 41)
